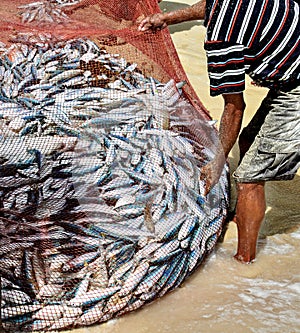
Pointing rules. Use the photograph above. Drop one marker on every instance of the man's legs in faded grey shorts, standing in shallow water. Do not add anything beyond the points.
(273, 155)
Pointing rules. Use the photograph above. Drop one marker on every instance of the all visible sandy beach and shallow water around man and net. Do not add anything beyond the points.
(224, 296)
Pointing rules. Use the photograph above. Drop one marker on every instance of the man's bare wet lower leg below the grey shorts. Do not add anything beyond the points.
(250, 212)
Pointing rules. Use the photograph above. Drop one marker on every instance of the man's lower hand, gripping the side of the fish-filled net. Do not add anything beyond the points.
(211, 173)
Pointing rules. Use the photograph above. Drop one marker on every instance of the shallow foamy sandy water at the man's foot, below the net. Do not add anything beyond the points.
(226, 296)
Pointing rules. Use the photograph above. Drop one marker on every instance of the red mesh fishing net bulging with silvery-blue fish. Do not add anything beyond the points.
(102, 209)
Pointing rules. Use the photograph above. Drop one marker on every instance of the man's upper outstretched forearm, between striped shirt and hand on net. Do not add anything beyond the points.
(194, 12)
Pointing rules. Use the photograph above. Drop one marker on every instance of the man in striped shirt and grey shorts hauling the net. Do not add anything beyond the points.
(259, 38)
